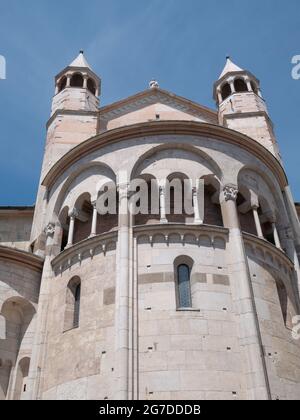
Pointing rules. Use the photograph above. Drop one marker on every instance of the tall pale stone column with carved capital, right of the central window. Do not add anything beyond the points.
(250, 339)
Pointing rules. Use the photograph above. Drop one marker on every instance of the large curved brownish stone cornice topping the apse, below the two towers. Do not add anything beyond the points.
(157, 128)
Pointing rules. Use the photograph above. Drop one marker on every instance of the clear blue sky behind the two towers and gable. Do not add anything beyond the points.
(182, 43)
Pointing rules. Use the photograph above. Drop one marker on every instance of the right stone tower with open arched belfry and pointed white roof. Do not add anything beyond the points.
(242, 107)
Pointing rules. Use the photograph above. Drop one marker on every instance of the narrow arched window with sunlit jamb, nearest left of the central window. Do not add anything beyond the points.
(72, 310)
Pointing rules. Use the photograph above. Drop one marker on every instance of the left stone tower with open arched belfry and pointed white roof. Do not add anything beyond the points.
(74, 118)
